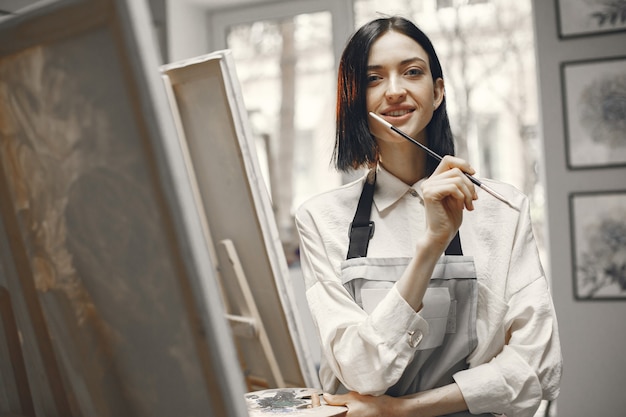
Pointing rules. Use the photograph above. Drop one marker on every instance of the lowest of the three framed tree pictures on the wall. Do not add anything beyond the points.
(598, 225)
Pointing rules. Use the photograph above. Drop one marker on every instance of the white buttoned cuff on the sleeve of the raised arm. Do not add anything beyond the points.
(397, 323)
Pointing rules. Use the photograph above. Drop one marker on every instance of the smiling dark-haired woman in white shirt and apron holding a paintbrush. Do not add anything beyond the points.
(420, 287)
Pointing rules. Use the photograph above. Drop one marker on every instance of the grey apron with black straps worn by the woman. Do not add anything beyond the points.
(449, 303)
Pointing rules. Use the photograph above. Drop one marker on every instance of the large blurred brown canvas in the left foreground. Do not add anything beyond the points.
(102, 255)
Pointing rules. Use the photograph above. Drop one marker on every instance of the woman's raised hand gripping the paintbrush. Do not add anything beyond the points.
(447, 192)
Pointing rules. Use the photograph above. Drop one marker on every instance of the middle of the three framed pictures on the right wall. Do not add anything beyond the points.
(594, 93)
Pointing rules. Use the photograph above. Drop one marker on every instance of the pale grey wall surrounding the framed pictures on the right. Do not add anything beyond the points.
(593, 333)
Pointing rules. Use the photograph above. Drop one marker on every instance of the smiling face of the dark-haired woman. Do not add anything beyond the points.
(400, 87)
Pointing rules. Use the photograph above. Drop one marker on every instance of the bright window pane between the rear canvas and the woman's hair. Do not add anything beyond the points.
(287, 72)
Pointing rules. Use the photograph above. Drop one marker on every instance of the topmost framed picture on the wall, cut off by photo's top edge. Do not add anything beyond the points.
(590, 17)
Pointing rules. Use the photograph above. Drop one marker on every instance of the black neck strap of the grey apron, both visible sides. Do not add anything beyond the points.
(362, 229)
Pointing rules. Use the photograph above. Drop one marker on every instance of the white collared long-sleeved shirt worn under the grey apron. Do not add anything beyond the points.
(518, 359)
